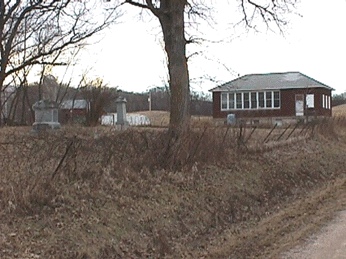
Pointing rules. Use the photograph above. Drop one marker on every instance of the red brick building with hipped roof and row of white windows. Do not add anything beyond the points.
(272, 98)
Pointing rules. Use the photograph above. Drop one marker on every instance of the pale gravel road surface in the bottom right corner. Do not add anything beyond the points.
(329, 243)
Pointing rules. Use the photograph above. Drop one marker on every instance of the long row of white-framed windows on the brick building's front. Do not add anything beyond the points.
(250, 100)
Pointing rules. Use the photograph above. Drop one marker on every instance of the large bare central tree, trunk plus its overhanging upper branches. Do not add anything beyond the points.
(171, 15)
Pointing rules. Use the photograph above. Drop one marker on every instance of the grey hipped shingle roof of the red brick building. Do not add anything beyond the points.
(272, 81)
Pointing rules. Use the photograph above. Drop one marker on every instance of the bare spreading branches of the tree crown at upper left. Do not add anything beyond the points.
(38, 31)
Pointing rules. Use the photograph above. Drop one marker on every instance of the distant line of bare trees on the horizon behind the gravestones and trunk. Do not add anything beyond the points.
(100, 99)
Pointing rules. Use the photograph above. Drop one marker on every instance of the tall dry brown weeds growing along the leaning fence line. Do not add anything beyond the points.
(36, 163)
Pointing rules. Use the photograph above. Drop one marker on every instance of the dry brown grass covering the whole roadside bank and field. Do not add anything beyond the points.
(100, 193)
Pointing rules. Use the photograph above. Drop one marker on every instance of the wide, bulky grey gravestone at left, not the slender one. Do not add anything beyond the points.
(46, 116)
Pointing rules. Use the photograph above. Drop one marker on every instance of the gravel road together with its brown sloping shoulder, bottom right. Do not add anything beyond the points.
(311, 227)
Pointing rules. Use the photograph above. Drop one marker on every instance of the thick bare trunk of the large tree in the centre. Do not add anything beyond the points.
(172, 23)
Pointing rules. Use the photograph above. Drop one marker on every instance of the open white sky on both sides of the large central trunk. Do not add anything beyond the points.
(130, 55)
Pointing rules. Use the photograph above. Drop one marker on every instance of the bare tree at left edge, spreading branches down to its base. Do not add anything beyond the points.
(42, 33)
